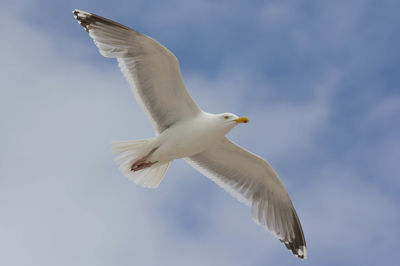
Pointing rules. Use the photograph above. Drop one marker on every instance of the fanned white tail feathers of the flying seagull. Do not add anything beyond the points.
(127, 152)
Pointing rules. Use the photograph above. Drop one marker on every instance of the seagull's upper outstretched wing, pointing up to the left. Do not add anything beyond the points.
(151, 69)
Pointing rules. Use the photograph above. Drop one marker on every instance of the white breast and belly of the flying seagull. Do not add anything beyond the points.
(186, 138)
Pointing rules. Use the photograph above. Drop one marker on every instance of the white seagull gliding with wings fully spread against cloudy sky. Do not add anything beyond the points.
(183, 130)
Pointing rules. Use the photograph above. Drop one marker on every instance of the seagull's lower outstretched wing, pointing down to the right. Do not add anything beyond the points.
(252, 180)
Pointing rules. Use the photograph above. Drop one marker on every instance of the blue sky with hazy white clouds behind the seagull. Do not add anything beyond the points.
(319, 80)
